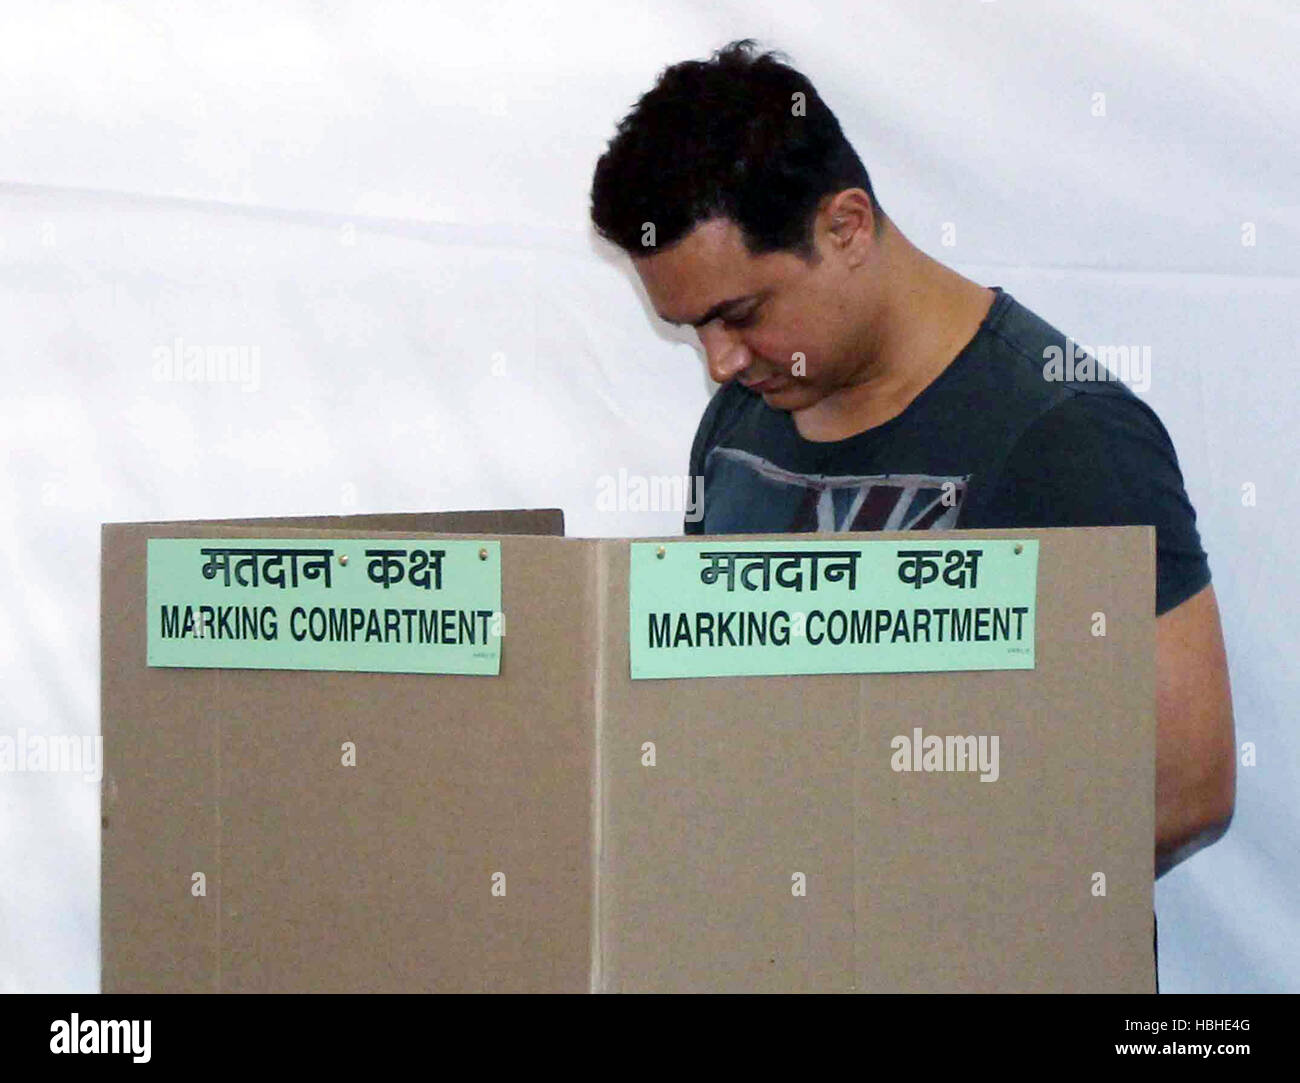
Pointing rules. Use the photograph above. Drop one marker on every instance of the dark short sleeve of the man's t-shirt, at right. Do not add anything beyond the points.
(1106, 461)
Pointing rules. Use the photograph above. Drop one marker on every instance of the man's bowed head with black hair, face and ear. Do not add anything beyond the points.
(731, 181)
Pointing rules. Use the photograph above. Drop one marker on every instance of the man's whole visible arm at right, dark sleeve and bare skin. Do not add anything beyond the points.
(1097, 462)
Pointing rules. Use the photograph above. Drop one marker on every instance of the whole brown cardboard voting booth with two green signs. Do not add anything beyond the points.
(465, 753)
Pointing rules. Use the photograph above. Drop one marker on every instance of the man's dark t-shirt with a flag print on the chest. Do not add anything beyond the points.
(990, 443)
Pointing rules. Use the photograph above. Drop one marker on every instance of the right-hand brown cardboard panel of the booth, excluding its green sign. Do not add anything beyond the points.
(917, 882)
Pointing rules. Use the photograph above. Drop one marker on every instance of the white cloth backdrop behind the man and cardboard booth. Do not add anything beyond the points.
(383, 209)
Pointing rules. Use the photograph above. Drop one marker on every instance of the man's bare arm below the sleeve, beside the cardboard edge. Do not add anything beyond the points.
(1195, 737)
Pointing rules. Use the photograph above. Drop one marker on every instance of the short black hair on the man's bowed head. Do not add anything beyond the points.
(726, 137)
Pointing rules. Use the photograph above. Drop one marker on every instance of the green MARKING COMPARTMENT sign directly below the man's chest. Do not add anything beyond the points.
(753, 608)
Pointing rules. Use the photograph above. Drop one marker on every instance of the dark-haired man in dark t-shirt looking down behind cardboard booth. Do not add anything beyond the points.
(868, 387)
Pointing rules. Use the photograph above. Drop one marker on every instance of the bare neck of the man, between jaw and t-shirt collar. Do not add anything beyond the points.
(921, 323)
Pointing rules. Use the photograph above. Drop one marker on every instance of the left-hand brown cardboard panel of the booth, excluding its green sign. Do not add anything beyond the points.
(367, 878)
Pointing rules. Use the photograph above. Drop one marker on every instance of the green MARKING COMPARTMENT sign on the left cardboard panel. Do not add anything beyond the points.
(365, 605)
